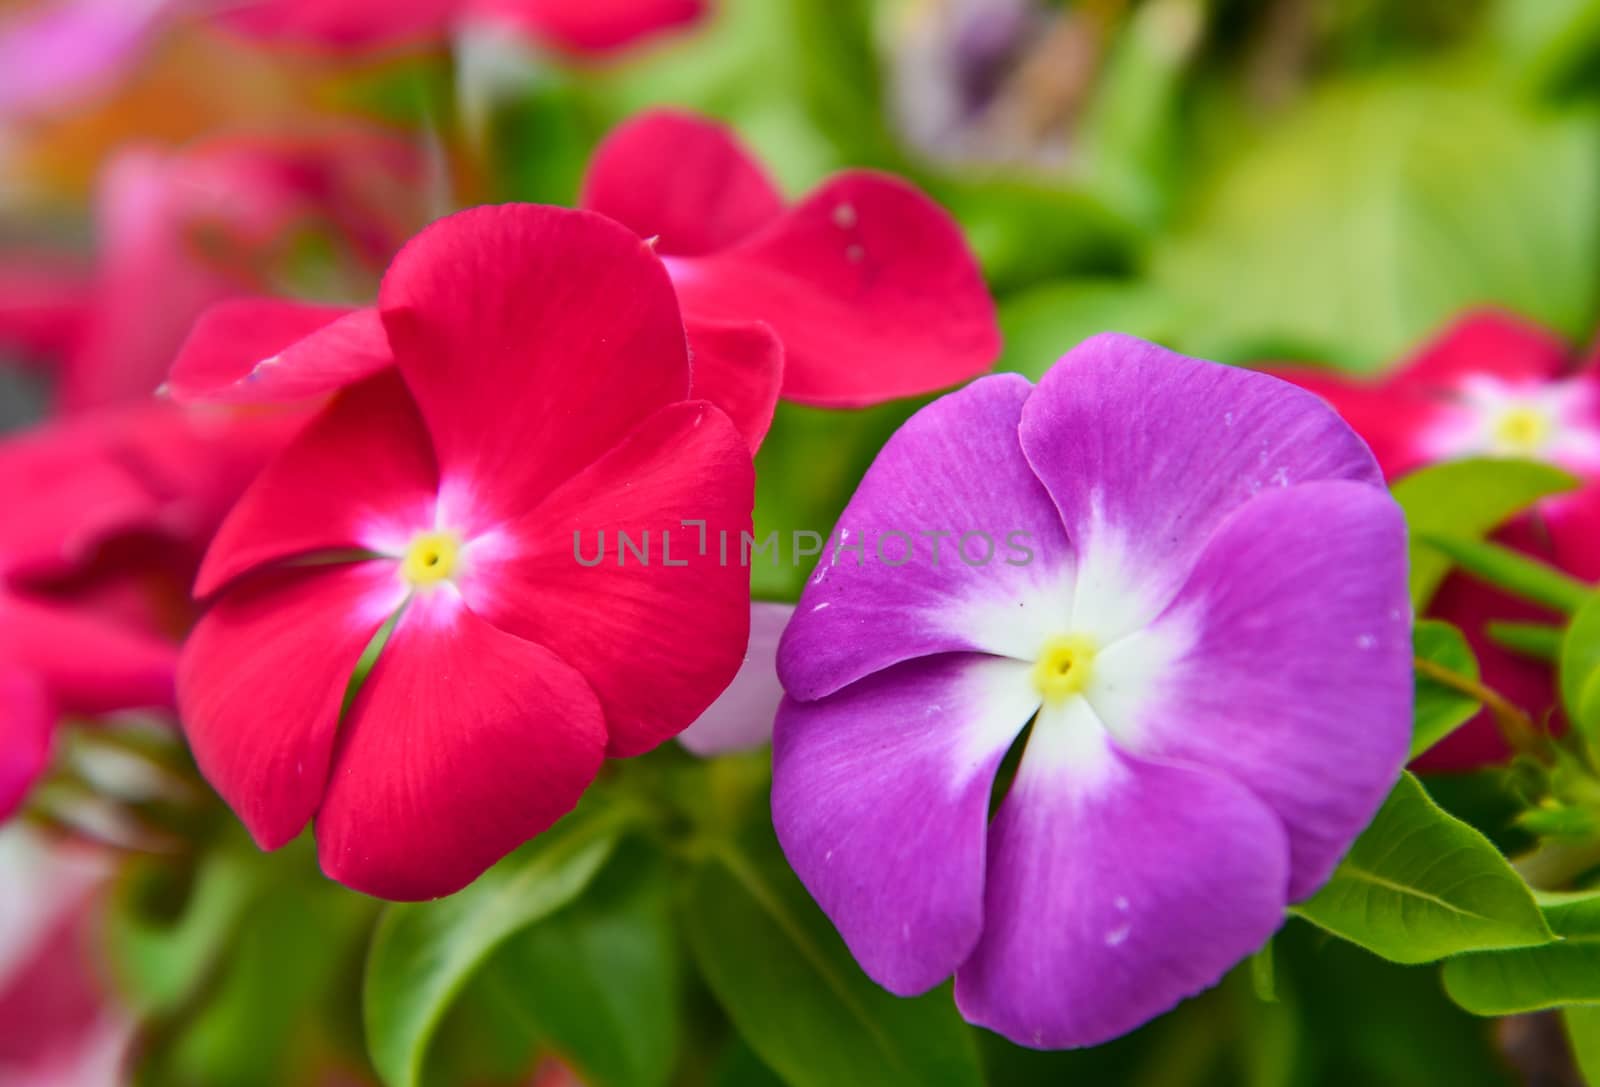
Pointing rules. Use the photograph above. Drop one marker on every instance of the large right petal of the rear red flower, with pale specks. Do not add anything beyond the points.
(868, 284)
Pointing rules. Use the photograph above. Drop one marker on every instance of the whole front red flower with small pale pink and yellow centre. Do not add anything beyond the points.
(540, 393)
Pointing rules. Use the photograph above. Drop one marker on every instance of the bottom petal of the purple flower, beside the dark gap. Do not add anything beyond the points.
(1110, 904)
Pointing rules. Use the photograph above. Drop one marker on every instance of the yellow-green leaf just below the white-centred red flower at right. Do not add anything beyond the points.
(1466, 500)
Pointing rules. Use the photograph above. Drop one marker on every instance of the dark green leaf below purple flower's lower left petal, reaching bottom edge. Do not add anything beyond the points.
(791, 989)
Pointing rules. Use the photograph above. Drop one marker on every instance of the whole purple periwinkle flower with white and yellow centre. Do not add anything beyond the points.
(1212, 644)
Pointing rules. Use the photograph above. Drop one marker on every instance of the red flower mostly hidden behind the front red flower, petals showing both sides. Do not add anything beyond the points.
(862, 294)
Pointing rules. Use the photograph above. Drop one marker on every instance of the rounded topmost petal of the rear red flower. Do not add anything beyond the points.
(714, 195)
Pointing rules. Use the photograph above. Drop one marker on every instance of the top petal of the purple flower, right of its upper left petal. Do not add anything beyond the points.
(1146, 452)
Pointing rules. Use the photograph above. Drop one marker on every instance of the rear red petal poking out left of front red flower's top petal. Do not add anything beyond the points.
(268, 350)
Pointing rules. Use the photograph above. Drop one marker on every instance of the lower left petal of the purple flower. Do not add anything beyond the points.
(881, 798)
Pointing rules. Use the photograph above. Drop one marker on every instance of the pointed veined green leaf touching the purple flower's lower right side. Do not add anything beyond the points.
(1420, 886)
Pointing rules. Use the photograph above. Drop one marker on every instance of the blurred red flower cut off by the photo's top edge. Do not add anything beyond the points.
(575, 26)
